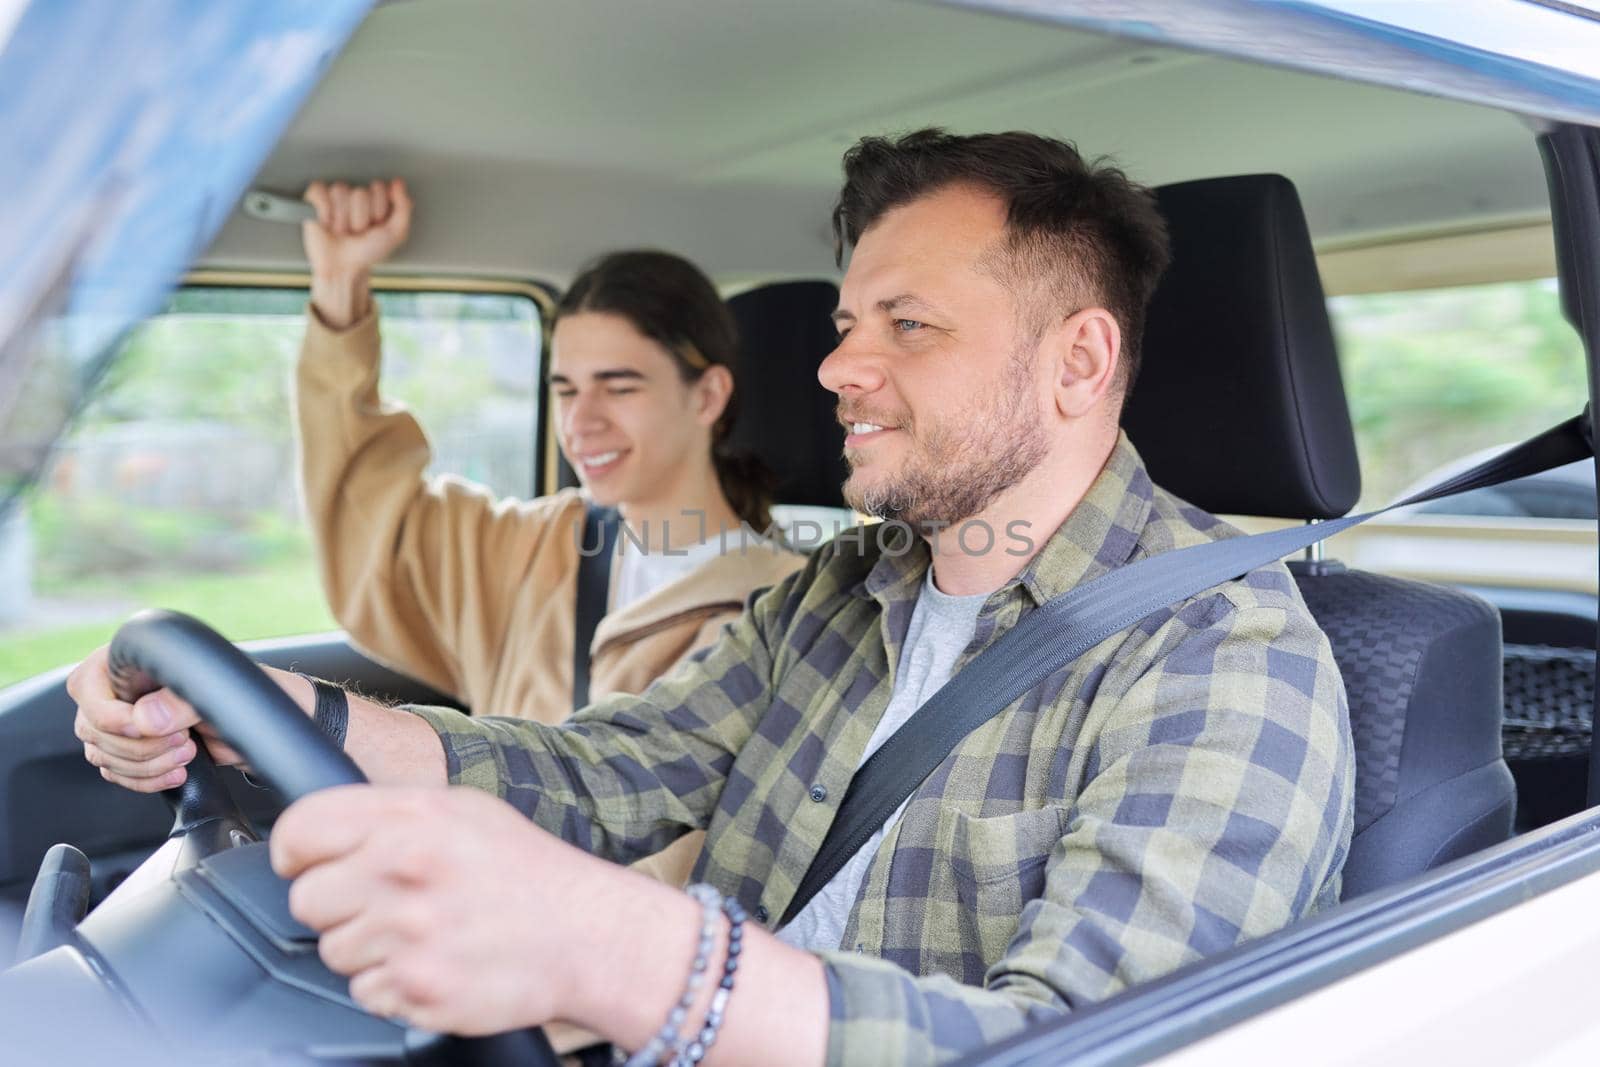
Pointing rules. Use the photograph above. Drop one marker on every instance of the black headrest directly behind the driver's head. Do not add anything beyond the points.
(1239, 406)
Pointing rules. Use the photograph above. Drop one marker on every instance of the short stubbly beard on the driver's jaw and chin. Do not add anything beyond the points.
(958, 468)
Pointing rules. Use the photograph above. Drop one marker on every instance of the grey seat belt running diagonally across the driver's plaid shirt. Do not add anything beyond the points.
(1066, 626)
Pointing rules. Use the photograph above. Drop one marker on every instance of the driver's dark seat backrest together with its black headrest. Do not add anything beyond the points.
(1241, 410)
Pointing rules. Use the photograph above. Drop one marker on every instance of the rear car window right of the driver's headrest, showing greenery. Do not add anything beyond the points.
(1442, 378)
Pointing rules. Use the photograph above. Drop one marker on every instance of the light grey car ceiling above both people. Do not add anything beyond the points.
(537, 135)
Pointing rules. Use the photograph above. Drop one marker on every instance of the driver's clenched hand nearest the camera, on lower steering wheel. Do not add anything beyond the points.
(447, 908)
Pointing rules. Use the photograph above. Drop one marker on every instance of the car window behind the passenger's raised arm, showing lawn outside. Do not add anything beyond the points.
(177, 487)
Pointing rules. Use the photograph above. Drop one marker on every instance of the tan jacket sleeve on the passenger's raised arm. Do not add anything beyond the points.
(420, 572)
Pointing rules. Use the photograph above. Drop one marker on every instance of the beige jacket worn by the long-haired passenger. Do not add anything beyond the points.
(466, 593)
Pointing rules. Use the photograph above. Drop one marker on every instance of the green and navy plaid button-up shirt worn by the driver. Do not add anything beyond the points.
(1183, 788)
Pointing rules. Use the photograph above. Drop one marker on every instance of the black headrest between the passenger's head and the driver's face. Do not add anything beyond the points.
(785, 415)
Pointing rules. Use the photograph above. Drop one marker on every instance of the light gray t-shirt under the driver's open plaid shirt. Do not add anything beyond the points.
(940, 631)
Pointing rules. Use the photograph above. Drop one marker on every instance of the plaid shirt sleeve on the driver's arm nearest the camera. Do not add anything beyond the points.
(1217, 810)
